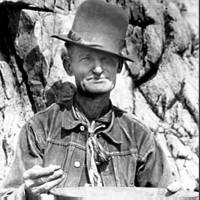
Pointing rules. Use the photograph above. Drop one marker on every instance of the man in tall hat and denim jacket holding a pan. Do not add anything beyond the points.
(87, 140)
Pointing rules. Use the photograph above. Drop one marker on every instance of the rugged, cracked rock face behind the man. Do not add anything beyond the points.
(160, 87)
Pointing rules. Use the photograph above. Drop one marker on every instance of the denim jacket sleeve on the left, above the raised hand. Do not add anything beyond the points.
(28, 153)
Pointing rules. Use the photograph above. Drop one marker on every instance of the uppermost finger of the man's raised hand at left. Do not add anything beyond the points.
(38, 171)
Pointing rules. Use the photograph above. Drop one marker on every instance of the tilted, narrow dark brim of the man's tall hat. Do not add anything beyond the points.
(91, 46)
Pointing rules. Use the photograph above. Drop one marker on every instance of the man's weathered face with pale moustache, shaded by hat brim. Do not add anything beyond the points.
(94, 71)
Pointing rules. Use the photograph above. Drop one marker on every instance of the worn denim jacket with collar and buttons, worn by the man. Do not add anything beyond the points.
(54, 136)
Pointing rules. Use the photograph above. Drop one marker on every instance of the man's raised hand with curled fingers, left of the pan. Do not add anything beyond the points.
(40, 180)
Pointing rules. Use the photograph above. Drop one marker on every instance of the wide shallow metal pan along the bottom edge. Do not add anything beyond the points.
(121, 193)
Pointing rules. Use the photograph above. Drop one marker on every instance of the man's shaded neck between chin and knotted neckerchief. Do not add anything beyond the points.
(93, 106)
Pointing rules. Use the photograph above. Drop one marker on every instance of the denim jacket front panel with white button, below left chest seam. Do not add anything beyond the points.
(70, 156)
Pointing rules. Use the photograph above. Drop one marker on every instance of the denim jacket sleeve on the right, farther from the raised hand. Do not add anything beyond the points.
(153, 168)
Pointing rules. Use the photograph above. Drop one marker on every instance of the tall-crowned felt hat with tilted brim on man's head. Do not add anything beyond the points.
(100, 26)
